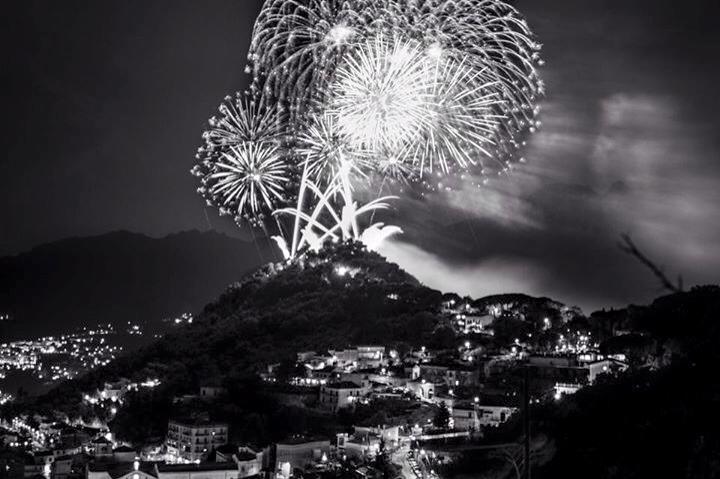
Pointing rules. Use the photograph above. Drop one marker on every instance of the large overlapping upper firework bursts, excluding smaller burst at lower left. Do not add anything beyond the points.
(348, 55)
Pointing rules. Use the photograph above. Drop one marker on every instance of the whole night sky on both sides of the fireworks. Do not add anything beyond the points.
(107, 102)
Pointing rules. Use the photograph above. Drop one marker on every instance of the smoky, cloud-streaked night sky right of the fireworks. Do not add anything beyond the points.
(628, 144)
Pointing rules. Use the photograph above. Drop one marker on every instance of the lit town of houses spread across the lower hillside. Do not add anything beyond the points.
(392, 411)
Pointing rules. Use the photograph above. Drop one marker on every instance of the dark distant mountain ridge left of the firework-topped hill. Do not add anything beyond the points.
(118, 277)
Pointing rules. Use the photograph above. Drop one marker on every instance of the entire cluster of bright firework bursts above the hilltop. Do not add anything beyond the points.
(348, 89)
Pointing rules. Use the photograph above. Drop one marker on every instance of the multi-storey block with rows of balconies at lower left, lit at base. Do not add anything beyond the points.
(191, 440)
